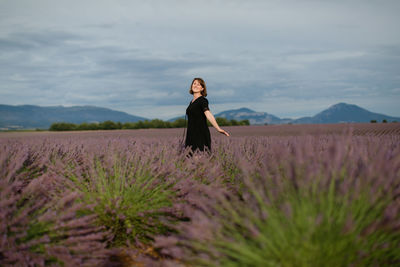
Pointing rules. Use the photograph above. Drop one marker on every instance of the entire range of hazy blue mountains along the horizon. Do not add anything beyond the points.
(29, 116)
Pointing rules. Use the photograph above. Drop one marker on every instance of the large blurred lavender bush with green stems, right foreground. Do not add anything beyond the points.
(310, 201)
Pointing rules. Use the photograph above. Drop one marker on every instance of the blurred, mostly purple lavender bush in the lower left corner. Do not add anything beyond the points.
(39, 228)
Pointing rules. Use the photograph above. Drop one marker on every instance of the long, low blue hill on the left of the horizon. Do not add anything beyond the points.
(29, 116)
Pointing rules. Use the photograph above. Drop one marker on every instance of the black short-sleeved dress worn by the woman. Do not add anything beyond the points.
(198, 134)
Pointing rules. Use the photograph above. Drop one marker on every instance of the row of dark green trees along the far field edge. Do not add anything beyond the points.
(156, 123)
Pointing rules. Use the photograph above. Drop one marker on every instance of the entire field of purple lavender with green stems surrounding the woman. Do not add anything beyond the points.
(281, 195)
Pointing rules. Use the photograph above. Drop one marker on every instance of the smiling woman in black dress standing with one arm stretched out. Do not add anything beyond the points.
(198, 135)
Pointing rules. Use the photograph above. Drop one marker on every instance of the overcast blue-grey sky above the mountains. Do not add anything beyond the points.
(290, 58)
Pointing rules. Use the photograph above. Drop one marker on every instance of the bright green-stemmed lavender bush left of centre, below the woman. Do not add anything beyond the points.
(131, 196)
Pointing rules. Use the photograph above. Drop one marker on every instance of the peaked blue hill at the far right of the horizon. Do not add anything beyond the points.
(343, 112)
